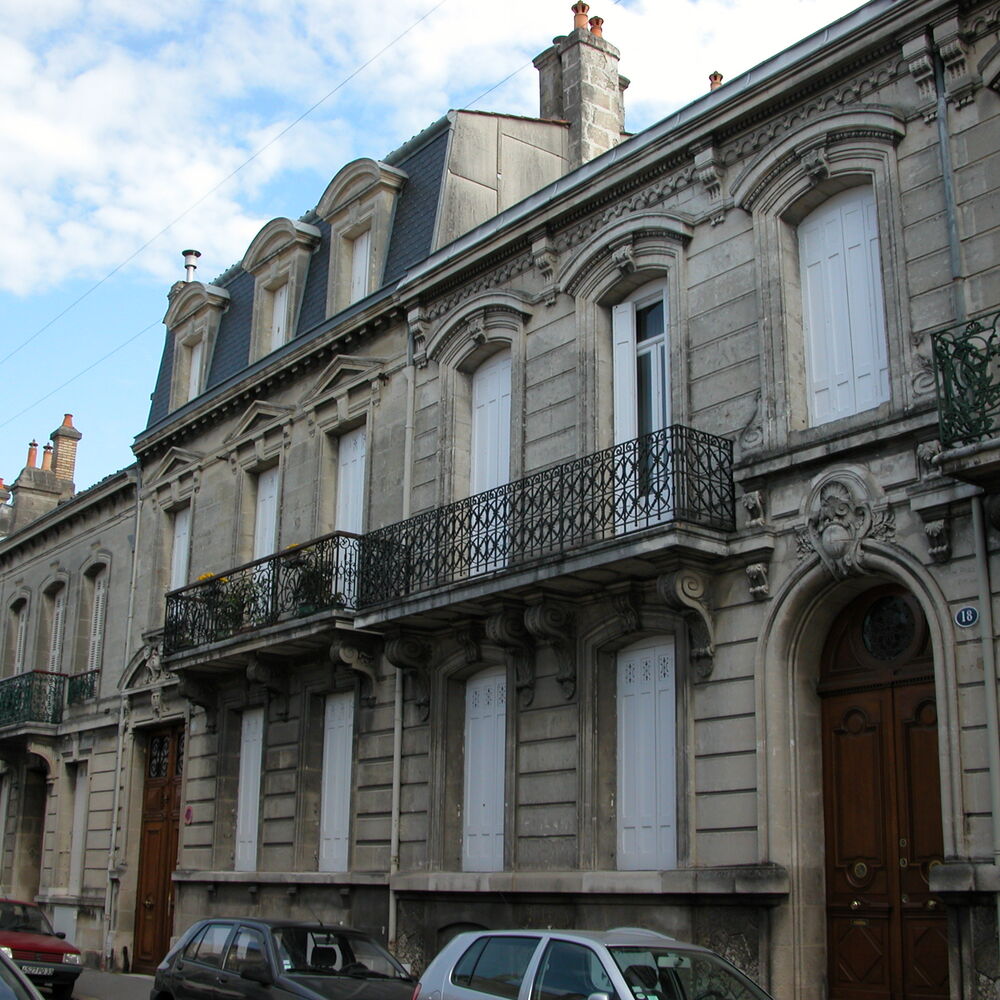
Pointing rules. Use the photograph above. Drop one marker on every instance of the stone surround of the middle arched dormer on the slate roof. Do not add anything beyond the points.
(278, 255)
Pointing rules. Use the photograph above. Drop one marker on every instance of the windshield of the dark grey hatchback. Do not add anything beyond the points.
(318, 950)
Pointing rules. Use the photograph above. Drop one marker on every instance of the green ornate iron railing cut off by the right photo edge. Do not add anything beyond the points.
(967, 370)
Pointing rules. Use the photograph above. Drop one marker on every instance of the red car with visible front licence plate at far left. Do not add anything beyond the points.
(44, 956)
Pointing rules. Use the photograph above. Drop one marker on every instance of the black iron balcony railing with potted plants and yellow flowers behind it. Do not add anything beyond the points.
(295, 583)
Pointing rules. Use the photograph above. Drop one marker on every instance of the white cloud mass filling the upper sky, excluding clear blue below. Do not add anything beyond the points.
(119, 116)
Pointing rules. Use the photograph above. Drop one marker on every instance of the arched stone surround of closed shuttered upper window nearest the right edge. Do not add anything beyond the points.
(779, 187)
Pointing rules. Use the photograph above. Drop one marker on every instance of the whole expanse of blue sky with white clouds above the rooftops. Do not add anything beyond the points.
(130, 131)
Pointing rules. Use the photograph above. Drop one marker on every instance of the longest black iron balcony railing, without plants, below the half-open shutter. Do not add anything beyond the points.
(677, 474)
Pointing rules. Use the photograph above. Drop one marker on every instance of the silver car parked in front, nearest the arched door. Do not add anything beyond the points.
(623, 964)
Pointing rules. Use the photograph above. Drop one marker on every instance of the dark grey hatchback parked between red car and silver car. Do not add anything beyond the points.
(278, 960)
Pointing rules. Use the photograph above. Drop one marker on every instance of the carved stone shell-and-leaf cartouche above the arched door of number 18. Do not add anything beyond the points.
(842, 516)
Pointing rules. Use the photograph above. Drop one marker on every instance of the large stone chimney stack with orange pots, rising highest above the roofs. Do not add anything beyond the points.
(579, 83)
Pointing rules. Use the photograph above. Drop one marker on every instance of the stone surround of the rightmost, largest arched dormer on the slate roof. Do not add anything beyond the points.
(362, 197)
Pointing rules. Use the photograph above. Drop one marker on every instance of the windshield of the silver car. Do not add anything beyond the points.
(676, 974)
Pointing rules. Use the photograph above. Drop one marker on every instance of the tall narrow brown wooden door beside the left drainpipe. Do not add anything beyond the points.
(158, 848)
